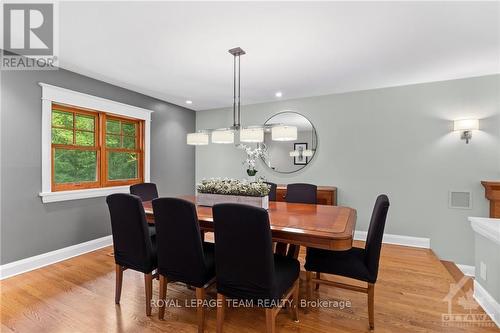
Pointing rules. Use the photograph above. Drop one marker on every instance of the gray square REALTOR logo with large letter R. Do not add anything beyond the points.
(28, 36)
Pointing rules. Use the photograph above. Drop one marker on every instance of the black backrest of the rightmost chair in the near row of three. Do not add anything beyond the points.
(244, 259)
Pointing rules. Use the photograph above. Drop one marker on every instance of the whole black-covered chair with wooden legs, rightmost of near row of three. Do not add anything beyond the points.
(246, 267)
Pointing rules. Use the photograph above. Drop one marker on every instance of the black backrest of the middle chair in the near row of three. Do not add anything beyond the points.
(179, 250)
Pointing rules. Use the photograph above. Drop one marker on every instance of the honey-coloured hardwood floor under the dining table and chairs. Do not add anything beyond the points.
(77, 295)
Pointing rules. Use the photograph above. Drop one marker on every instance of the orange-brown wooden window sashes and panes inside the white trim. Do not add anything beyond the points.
(93, 149)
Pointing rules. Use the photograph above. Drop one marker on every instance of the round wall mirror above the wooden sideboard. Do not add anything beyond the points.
(290, 156)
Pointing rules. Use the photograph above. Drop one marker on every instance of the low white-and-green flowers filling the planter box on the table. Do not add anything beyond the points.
(230, 186)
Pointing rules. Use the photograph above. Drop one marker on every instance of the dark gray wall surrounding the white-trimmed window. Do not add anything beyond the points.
(29, 227)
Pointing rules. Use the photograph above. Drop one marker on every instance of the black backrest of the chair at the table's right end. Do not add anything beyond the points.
(376, 233)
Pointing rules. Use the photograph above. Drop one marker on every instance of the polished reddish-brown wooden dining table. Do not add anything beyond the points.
(319, 226)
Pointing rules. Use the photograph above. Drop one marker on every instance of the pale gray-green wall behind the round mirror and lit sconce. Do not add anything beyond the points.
(396, 141)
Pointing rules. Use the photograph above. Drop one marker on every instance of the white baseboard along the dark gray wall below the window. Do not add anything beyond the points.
(31, 263)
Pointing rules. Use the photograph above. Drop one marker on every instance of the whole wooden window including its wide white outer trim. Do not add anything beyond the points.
(91, 146)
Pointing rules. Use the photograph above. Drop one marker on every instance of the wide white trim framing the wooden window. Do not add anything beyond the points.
(56, 94)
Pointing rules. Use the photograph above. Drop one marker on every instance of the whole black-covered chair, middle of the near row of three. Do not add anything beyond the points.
(182, 255)
